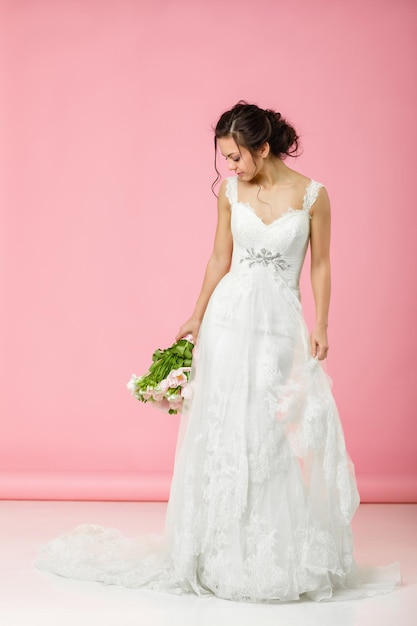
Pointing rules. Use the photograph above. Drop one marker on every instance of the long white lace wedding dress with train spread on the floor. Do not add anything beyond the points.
(263, 490)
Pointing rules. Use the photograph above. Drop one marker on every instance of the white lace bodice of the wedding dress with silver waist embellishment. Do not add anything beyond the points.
(280, 246)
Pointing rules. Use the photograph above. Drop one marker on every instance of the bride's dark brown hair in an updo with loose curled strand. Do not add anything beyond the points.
(251, 127)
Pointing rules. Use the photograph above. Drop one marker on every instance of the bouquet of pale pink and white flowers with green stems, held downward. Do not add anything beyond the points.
(166, 382)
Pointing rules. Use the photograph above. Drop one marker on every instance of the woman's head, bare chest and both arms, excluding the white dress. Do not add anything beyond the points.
(254, 143)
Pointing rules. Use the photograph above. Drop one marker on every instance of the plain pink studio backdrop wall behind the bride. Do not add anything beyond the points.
(107, 219)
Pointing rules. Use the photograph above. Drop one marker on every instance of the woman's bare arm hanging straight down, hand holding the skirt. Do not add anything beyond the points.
(320, 272)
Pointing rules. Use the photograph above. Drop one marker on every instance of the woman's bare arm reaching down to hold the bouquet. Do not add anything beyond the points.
(217, 266)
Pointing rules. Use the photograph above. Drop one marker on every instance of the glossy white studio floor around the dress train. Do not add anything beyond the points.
(383, 533)
